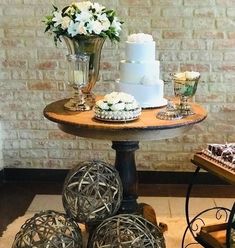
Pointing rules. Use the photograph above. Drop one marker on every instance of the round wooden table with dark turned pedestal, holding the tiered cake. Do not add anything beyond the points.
(125, 138)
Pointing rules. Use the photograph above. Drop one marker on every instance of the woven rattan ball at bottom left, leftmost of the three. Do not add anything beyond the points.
(49, 229)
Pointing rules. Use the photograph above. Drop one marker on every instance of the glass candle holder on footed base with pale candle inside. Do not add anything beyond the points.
(78, 71)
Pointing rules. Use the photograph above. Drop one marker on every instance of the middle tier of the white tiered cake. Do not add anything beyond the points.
(139, 73)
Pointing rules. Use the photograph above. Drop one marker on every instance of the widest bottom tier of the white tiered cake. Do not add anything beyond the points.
(148, 96)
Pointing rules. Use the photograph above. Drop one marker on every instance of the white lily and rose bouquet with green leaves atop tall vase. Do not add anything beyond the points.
(83, 18)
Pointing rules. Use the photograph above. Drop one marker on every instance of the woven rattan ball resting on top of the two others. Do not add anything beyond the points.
(92, 192)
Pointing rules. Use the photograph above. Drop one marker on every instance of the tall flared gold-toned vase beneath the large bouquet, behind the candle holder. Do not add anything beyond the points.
(92, 46)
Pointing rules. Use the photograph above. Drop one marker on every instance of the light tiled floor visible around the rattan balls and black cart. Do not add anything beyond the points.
(169, 210)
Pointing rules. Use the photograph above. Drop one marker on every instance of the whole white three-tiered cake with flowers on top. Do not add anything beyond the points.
(139, 72)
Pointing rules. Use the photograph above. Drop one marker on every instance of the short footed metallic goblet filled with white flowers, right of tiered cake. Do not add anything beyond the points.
(185, 87)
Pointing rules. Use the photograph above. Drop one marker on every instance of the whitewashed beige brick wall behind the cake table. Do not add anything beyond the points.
(197, 35)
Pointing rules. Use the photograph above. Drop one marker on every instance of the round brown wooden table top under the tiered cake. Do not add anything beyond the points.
(147, 127)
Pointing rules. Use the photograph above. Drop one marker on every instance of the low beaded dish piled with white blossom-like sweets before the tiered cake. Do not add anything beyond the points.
(117, 106)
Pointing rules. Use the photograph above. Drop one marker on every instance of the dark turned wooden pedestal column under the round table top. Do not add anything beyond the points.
(125, 164)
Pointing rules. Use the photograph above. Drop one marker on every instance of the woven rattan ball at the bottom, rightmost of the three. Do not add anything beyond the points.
(127, 230)
